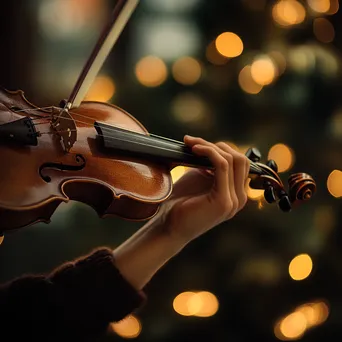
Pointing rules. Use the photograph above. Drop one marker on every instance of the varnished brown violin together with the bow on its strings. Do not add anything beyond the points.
(99, 154)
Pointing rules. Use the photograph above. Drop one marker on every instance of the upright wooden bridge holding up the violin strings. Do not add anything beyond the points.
(64, 125)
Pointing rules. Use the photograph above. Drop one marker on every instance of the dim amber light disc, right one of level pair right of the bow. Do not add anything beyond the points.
(187, 70)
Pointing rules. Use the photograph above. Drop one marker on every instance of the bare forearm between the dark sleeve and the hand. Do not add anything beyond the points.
(145, 252)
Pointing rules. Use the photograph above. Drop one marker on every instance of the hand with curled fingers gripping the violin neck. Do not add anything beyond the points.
(202, 200)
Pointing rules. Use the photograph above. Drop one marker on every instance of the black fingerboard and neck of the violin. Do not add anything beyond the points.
(151, 147)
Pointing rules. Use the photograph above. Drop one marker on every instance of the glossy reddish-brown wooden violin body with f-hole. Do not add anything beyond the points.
(34, 180)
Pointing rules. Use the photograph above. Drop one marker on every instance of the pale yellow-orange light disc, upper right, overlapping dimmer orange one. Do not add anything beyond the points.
(263, 70)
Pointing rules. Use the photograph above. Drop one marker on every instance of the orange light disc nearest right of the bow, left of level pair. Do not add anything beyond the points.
(151, 71)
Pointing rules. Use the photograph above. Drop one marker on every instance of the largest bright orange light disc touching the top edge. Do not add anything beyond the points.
(288, 13)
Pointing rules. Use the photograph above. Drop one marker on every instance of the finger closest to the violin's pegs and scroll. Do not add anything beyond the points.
(240, 172)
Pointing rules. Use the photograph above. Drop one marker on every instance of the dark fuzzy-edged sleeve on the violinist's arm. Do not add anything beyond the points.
(77, 300)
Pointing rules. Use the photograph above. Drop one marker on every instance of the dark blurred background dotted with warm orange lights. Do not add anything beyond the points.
(249, 72)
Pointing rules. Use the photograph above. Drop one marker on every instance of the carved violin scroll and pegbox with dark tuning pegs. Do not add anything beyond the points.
(265, 177)
